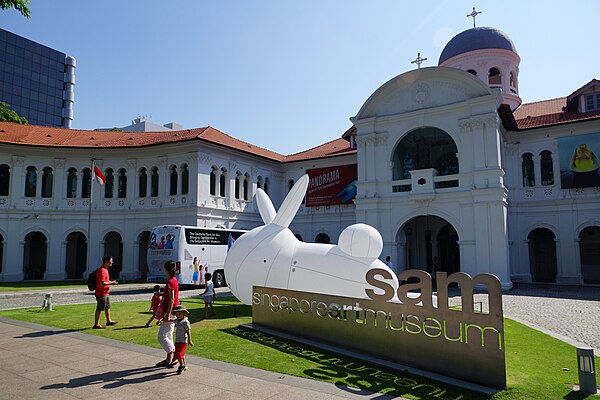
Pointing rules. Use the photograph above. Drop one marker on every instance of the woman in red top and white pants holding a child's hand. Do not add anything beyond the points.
(170, 300)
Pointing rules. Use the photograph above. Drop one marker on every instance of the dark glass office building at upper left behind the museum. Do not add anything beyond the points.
(36, 81)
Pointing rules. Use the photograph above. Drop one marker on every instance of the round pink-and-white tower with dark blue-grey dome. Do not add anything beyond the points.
(489, 54)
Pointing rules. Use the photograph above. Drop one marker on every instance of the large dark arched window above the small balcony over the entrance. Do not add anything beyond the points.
(424, 148)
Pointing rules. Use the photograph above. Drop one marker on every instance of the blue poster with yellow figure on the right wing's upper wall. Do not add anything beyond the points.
(579, 162)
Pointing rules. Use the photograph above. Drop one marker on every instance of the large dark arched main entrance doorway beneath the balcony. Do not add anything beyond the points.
(429, 243)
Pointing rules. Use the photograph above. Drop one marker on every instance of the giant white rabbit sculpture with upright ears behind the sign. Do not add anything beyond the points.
(271, 256)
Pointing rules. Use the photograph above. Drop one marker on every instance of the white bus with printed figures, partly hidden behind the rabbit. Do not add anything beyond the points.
(194, 250)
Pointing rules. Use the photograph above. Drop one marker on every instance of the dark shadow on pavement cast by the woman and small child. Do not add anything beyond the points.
(112, 379)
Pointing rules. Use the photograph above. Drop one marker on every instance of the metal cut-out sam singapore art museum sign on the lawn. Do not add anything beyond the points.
(399, 326)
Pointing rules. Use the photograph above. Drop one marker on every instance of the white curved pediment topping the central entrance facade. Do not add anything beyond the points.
(421, 89)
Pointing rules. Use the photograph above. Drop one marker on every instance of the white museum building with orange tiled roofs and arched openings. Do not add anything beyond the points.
(444, 161)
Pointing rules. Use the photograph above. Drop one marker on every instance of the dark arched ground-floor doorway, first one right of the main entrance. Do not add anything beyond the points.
(542, 255)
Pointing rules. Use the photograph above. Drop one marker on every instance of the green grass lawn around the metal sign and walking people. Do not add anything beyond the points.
(535, 361)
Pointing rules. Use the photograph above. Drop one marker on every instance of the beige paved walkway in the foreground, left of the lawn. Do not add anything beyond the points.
(38, 362)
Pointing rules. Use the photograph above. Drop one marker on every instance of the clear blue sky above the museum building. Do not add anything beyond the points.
(280, 74)
